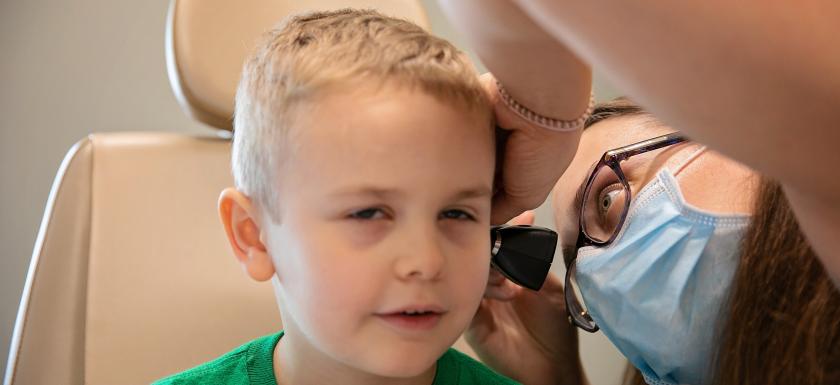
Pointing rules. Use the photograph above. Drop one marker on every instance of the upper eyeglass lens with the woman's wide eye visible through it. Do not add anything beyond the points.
(604, 203)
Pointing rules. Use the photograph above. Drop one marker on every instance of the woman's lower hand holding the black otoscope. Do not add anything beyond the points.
(525, 334)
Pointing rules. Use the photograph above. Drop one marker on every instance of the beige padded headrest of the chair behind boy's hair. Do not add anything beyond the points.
(207, 42)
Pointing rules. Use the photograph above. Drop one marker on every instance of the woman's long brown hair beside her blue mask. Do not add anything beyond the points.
(782, 325)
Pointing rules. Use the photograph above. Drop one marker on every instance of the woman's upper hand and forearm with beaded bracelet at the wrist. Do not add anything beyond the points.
(540, 73)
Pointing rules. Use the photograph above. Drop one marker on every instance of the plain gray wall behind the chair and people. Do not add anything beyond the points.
(71, 68)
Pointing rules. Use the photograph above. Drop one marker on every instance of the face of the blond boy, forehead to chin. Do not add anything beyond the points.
(384, 212)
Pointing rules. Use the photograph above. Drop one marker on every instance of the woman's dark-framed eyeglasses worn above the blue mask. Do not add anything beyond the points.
(604, 203)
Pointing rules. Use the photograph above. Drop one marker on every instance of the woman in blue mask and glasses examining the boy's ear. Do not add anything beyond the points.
(757, 82)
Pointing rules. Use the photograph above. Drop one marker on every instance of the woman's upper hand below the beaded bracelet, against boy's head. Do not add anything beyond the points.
(531, 161)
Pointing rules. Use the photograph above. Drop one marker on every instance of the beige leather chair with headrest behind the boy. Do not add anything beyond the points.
(131, 278)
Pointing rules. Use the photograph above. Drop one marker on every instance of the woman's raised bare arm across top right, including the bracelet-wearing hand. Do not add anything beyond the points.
(757, 81)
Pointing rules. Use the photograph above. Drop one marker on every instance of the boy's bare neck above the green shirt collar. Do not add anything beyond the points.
(296, 361)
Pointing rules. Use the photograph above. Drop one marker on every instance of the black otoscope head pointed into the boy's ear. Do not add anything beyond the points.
(523, 253)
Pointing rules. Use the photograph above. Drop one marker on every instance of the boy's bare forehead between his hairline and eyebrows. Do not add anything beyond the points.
(392, 133)
